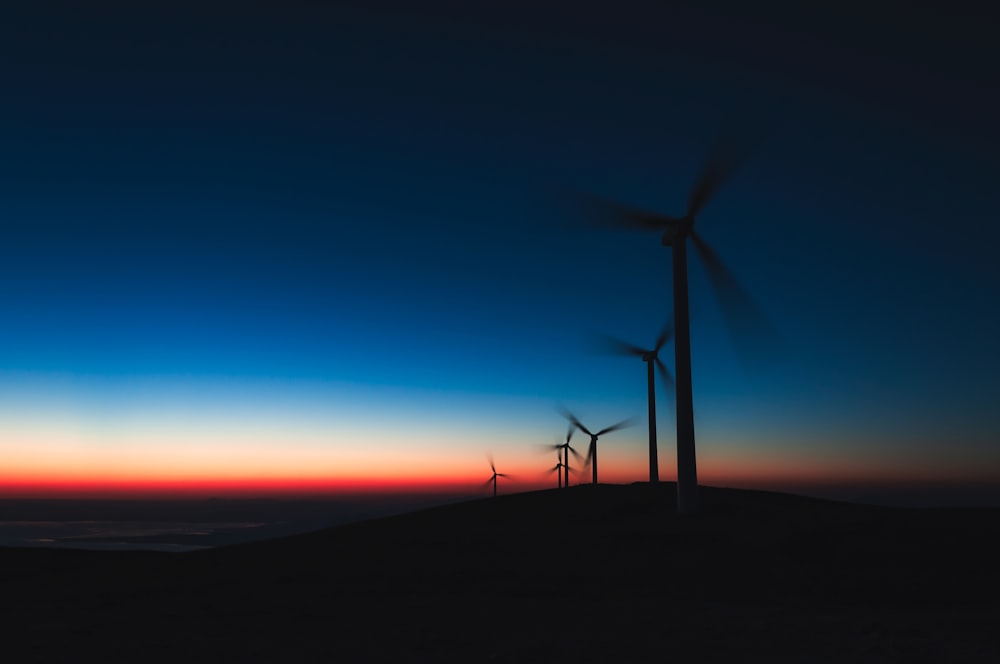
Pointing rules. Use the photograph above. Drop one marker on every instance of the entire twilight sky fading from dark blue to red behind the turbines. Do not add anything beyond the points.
(304, 246)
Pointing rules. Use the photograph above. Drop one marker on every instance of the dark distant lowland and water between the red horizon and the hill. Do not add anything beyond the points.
(185, 524)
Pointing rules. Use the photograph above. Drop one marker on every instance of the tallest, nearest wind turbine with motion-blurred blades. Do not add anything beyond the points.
(741, 312)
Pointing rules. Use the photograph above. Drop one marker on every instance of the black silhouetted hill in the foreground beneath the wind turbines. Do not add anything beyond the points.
(589, 574)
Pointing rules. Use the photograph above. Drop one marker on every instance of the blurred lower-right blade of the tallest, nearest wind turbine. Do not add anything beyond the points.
(749, 327)
